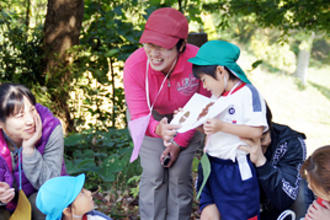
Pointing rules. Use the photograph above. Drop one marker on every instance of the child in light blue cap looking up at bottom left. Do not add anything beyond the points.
(65, 198)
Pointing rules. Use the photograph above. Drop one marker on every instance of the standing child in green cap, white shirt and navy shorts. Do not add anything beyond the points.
(231, 189)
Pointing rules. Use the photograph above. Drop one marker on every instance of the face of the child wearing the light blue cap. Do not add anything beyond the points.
(83, 203)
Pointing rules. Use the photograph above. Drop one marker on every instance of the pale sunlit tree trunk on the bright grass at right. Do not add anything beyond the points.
(305, 48)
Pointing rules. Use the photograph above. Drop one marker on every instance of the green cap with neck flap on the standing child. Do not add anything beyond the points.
(223, 53)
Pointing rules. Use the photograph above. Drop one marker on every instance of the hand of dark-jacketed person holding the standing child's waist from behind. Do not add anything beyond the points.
(254, 149)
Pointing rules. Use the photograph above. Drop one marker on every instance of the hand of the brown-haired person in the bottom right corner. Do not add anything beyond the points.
(317, 212)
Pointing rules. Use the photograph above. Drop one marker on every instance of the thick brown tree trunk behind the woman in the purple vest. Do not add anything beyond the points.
(61, 30)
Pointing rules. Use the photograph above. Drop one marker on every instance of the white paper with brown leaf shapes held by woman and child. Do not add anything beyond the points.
(197, 110)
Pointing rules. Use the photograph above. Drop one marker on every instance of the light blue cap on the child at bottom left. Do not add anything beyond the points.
(58, 193)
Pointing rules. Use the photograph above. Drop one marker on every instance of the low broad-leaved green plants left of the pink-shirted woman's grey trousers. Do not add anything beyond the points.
(104, 157)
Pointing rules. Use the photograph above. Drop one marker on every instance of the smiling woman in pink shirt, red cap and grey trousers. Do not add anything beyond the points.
(158, 80)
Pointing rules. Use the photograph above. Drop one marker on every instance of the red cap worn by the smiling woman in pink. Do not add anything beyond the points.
(165, 27)
